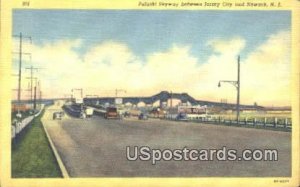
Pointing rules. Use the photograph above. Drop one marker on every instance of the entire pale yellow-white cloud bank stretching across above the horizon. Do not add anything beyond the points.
(110, 65)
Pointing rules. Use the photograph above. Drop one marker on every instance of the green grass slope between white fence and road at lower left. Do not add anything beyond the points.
(32, 156)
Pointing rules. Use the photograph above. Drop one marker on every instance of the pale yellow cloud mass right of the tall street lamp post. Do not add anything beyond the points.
(266, 71)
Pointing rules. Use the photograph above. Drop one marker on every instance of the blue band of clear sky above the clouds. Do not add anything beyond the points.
(153, 30)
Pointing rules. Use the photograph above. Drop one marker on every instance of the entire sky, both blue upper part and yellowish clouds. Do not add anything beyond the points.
(147, 51)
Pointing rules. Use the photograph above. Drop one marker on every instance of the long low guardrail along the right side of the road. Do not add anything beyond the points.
(284, 124)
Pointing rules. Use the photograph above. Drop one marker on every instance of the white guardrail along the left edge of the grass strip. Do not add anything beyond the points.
(17, 128)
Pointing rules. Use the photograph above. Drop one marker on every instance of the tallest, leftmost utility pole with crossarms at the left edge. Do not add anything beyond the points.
(20, 66)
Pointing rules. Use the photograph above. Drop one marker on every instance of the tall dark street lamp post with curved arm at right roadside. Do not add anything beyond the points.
(237, 85)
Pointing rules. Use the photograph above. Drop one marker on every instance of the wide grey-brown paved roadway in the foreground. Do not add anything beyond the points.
(97, 147)
